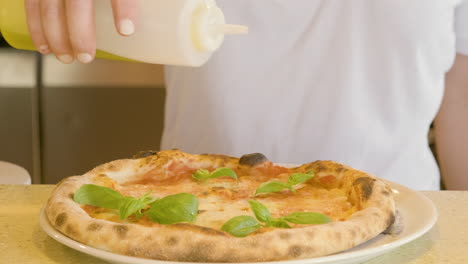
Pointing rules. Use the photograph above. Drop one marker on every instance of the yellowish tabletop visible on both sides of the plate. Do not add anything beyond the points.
(23, 241)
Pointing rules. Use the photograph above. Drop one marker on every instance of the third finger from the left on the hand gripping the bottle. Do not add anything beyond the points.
(81, 27)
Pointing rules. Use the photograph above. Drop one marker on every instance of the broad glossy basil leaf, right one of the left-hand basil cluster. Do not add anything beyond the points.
(177, 208)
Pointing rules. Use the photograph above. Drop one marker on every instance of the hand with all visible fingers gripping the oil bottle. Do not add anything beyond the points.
(66, 27)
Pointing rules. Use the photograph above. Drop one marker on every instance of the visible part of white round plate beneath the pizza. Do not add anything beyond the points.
(408, 202)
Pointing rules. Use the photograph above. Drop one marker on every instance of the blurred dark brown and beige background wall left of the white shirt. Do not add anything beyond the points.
(61, 120)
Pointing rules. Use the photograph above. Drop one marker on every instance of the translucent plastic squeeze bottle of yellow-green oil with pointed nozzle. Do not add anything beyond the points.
(173, 32)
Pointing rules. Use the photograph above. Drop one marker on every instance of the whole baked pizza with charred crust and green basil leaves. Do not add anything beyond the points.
(175, 206)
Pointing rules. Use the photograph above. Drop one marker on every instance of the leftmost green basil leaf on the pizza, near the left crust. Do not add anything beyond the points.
(99, 196)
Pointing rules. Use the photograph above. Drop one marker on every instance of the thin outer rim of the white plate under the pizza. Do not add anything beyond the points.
(361, 253)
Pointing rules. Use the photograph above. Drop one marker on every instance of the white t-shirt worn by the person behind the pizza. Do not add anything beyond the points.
(358, 82)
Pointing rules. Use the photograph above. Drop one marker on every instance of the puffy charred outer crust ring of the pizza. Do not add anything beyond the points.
(188, 242)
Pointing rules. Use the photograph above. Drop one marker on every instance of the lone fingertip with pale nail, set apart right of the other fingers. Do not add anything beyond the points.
(125, 15)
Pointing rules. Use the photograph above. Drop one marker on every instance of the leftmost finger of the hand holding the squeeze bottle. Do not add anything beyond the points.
(33, 17)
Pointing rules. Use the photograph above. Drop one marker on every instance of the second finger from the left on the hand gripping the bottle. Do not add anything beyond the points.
(55, 29)
